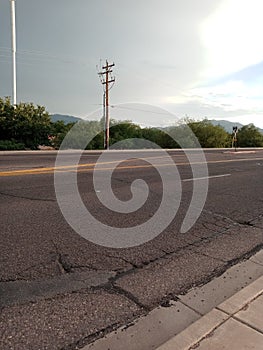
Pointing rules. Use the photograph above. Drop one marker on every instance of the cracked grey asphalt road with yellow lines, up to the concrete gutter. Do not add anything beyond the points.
(61, 291)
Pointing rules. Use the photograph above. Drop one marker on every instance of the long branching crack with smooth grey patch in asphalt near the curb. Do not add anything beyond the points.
(69, 282)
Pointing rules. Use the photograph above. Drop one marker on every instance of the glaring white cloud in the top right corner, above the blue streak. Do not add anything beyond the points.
(231, 37)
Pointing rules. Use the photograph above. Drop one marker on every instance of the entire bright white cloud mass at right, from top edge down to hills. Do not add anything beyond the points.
(230, 36)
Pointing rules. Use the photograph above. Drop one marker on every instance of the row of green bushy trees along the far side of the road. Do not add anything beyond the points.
(26, 126)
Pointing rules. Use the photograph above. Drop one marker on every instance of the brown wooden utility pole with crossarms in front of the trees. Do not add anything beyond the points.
(107, 81)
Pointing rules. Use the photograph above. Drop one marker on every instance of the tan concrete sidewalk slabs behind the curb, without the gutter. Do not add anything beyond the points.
(236, 324)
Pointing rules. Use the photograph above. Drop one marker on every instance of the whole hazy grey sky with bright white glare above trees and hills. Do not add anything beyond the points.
(194, 58)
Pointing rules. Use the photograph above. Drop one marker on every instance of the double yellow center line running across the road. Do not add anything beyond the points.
(75, 168)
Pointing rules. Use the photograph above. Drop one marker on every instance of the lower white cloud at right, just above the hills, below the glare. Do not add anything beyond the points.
(234, 99)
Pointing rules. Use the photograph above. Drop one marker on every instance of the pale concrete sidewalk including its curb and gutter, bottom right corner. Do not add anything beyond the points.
(189, 321)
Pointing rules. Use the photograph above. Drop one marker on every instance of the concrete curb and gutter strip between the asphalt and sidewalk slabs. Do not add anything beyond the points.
(199, 308)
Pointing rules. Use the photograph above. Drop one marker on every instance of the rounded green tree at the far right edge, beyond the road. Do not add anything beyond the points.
(249, 136)
